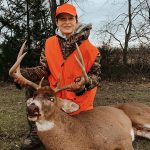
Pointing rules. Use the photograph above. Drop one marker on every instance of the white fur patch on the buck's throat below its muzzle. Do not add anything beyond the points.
(45, 125)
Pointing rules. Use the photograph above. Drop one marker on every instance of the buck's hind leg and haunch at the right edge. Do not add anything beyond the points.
(139, 114)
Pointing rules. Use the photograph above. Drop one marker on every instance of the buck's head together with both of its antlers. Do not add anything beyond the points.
(44, 98)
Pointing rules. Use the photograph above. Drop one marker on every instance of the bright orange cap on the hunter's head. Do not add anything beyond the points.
(66, 8)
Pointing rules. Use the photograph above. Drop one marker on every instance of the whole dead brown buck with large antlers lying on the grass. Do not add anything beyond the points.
(103, 128)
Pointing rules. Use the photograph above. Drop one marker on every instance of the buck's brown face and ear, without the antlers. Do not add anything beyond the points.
(44, 103)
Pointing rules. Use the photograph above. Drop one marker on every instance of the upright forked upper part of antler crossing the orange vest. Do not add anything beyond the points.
(81, 64)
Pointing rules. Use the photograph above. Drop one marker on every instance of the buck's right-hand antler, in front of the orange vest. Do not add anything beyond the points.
(82, 66)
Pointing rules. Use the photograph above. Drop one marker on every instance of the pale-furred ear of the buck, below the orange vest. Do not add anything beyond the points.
(67, 105)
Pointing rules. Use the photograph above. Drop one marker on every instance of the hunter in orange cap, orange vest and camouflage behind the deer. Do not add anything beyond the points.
(57, 60)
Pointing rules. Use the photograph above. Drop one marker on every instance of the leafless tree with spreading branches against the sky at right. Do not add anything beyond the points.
(134, 25)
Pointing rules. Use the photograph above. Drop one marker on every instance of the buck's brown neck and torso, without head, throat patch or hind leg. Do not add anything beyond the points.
(105, 128)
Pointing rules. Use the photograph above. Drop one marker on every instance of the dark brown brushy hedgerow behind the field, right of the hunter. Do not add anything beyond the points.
(137, 67)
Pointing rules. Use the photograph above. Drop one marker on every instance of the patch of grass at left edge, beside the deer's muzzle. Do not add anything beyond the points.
(12, 114)
